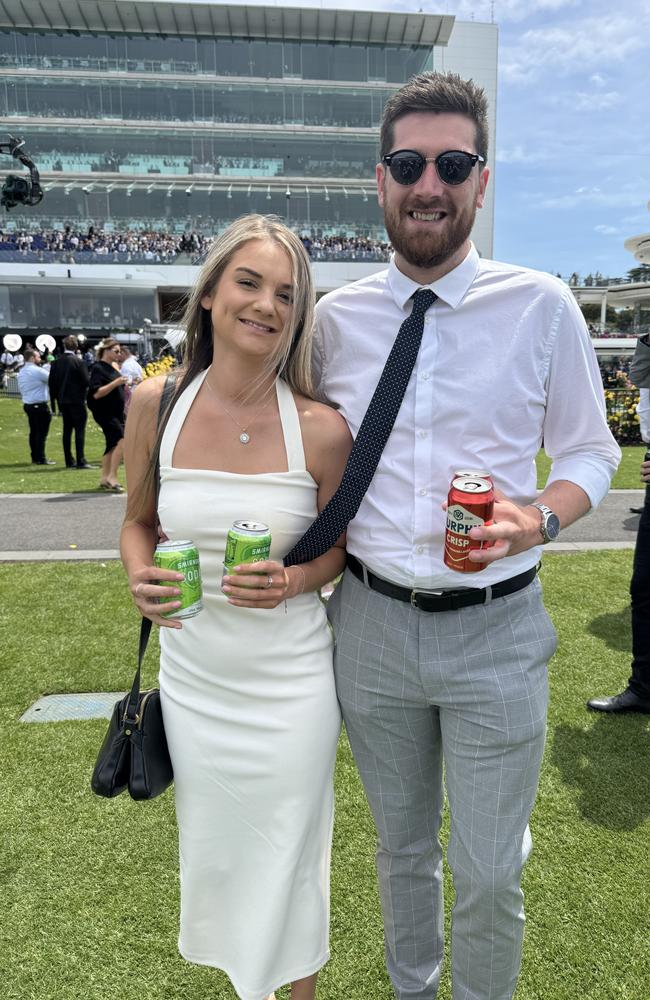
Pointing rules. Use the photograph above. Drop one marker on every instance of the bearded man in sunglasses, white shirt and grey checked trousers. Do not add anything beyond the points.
(457, 673)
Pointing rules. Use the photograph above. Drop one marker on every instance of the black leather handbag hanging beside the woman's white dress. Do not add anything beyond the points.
(134, 753)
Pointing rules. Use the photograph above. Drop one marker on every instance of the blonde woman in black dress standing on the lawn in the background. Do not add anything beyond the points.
(106, 403)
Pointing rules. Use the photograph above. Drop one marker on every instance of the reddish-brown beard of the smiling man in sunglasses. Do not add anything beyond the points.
(426, 249)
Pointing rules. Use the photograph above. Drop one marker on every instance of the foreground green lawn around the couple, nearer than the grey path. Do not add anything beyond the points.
(90, 891)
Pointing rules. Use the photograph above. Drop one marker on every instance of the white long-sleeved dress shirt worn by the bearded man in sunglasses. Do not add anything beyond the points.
(505, 362)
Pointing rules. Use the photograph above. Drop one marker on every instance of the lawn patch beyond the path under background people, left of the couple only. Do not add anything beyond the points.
(18, 475)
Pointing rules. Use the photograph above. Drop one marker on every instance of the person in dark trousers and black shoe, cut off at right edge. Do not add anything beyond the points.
(636, 696)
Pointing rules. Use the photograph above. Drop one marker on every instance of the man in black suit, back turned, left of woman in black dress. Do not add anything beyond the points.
(68, 385)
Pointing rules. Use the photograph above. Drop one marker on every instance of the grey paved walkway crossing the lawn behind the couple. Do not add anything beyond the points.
(58, 526)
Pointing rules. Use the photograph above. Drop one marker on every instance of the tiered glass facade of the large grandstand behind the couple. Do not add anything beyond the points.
(122, 127)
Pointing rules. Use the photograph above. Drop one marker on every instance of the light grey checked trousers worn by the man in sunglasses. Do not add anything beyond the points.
(468, 688)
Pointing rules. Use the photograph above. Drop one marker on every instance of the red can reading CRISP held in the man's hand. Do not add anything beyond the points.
(470, 505)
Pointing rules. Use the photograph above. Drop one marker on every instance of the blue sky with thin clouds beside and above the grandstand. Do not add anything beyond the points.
(573, 132)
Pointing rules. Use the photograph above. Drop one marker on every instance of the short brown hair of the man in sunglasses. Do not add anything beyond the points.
(437, 93)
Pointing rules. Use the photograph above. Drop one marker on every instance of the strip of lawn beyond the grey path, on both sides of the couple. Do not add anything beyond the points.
(17, 475)
